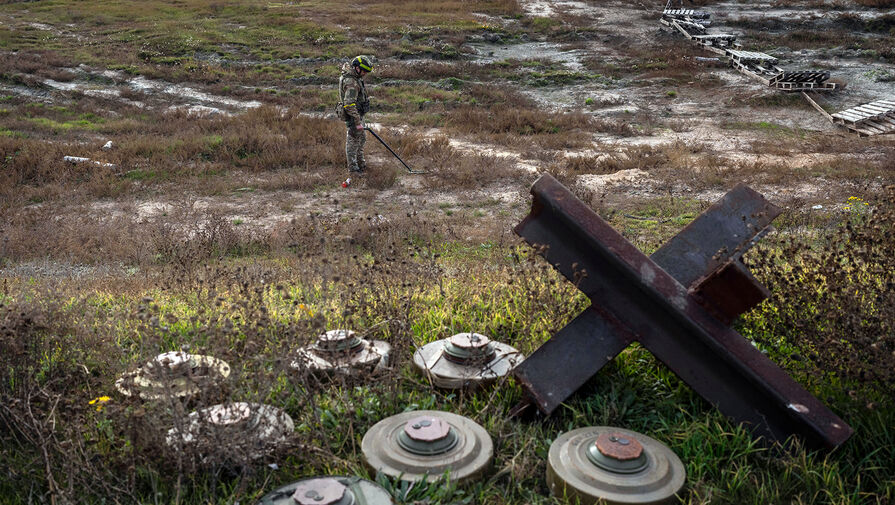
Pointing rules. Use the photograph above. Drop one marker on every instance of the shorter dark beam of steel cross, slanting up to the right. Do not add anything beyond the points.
(695, 257)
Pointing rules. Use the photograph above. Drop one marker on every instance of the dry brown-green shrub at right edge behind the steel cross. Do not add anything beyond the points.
(833, 298)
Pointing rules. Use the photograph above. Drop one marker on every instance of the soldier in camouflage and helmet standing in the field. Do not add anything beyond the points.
(354, 103)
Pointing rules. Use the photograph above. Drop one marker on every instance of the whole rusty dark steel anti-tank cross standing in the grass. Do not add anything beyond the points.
(677, 303)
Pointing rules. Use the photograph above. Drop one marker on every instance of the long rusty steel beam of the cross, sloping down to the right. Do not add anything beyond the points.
(630, 290)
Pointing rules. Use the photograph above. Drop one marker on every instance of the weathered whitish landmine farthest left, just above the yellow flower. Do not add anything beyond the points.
(173, 374)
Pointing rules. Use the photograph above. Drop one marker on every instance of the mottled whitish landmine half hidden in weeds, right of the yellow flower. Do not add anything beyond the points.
(237, 430)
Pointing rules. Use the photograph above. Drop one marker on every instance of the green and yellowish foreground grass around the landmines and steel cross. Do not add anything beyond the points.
(494, 290)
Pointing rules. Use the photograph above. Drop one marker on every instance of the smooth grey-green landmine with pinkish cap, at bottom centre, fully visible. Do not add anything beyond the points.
(425, 444)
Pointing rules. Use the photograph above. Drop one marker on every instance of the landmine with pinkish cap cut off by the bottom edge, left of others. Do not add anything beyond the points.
(335, 490)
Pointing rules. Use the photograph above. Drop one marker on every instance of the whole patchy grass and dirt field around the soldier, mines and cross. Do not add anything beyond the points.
(216, 222)
